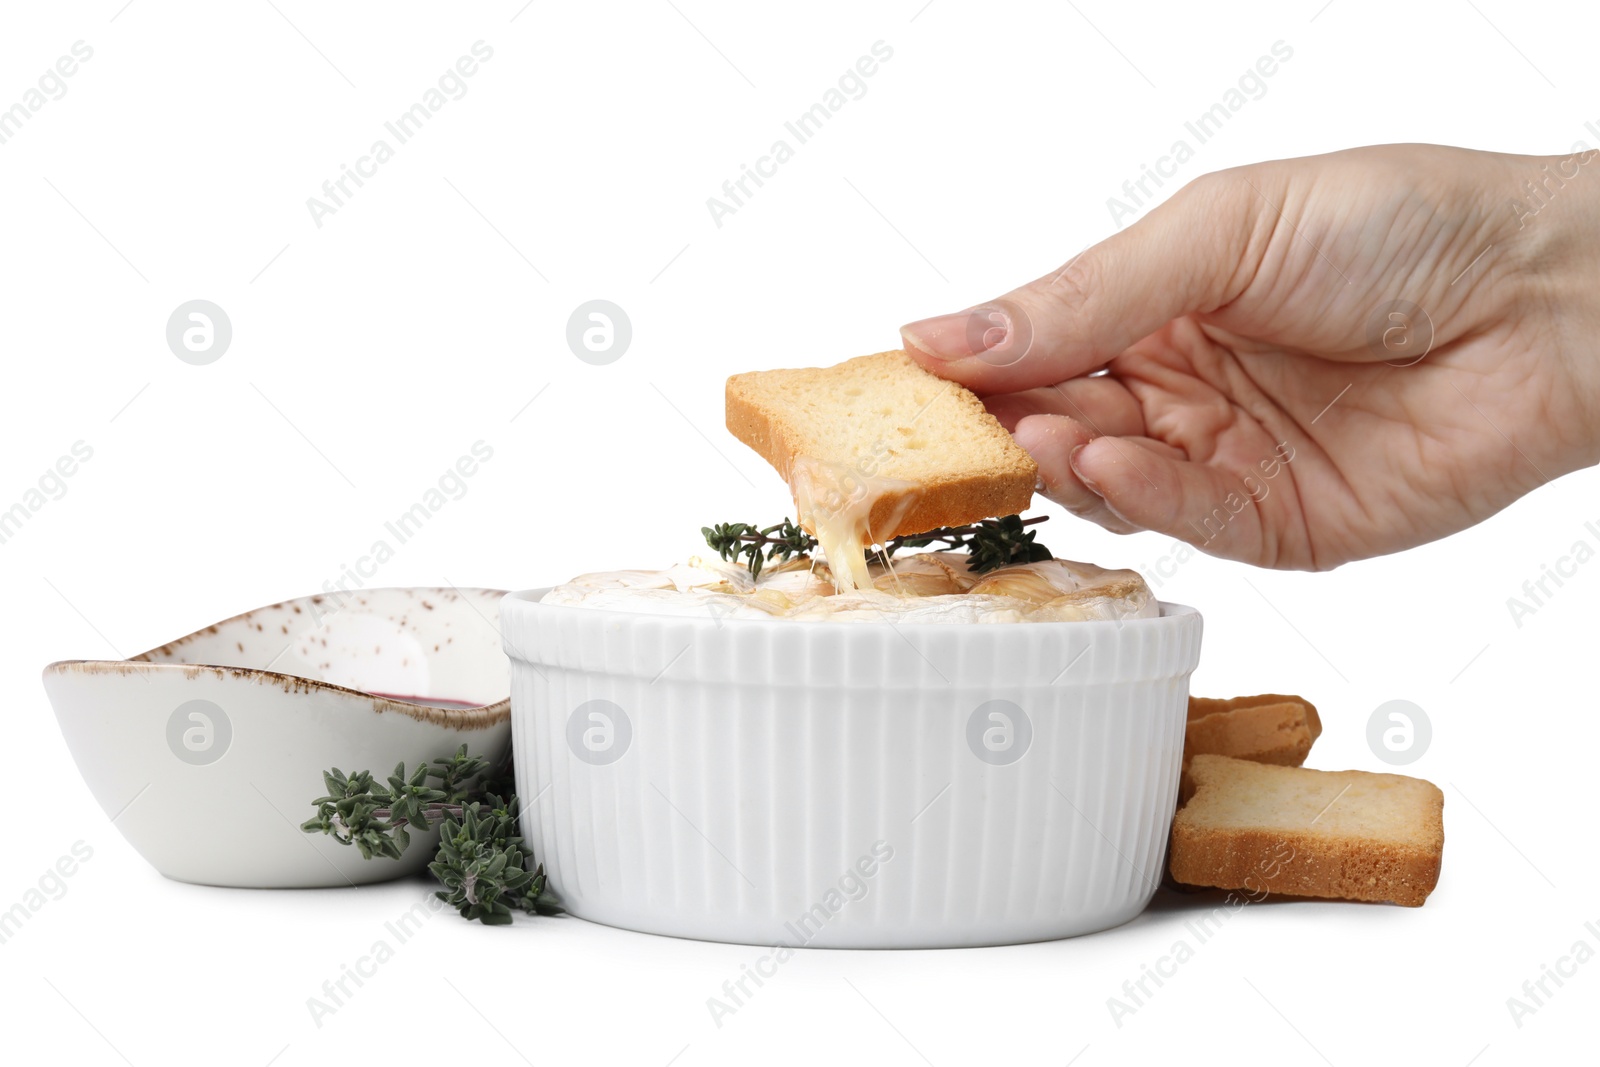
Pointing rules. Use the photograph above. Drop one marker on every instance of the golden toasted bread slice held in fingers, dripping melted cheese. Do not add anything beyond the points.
(924, 450)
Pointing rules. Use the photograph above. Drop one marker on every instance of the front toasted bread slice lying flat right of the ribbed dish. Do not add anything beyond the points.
(1298, 833)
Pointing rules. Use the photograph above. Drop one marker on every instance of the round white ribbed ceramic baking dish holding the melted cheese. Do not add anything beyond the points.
(841, 785)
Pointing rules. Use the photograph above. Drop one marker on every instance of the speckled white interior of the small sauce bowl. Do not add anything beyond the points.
(438, 647)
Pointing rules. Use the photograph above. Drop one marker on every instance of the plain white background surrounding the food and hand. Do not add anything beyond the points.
(431, 310)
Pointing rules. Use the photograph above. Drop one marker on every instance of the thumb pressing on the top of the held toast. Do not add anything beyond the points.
(1193, 254)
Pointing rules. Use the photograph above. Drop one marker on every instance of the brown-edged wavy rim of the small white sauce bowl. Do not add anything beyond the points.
(476, 717)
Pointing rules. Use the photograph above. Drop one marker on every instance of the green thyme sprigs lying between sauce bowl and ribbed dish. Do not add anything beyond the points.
(481, 857)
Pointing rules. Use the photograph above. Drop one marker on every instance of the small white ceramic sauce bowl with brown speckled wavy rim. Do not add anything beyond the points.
(207, 753)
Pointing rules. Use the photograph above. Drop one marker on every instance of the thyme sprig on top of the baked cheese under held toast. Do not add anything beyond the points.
(990, 545)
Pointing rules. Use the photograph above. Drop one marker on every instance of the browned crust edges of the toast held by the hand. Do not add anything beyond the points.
(942, 502)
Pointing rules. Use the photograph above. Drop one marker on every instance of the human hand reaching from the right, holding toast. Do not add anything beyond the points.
(1313, 361)
